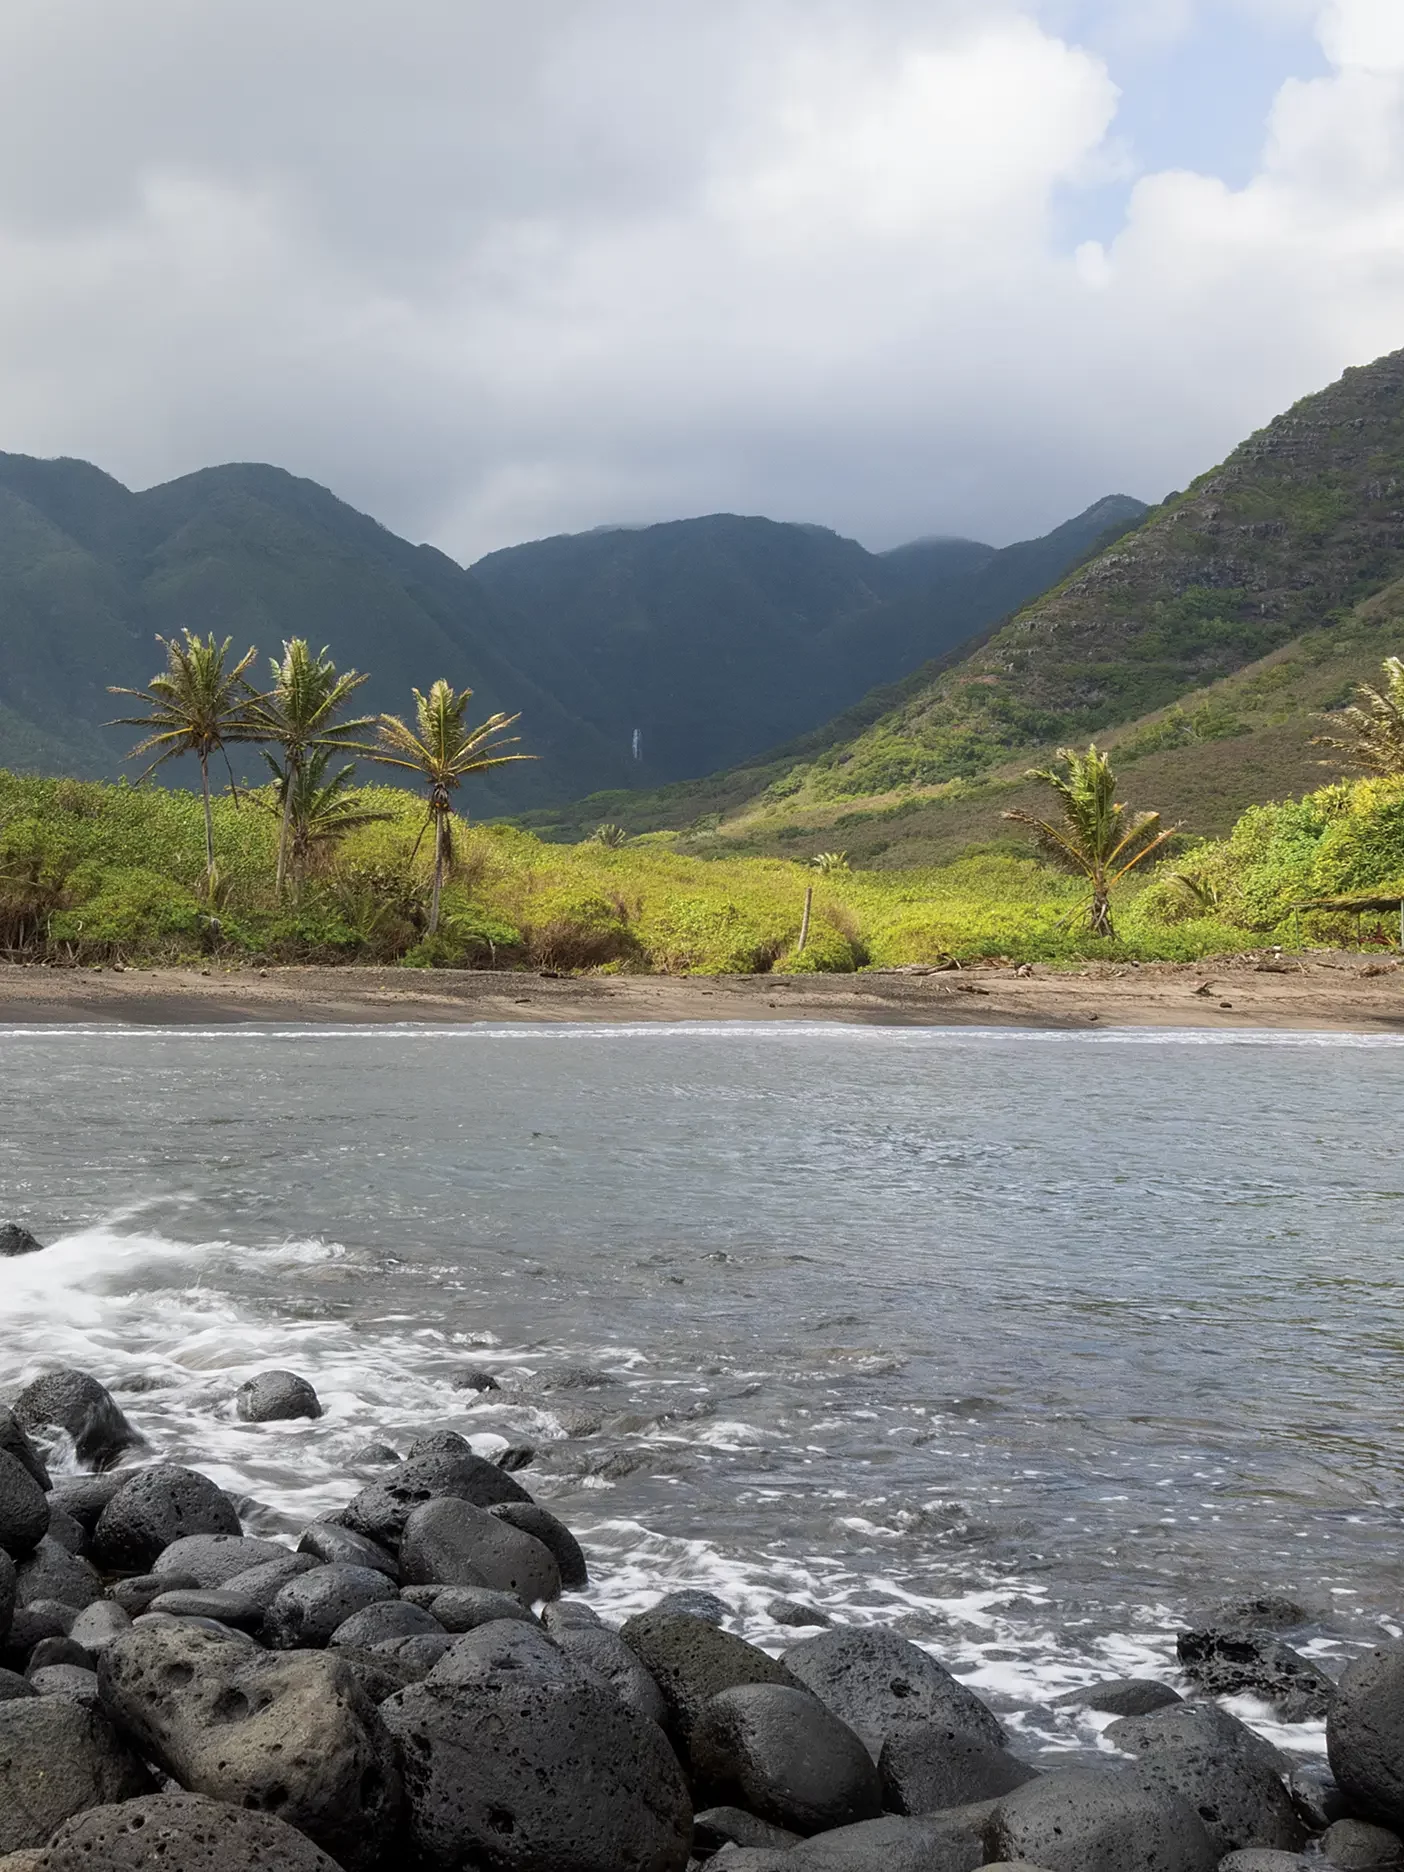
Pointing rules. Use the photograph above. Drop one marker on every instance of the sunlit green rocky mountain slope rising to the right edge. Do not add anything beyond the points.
(1265, 566)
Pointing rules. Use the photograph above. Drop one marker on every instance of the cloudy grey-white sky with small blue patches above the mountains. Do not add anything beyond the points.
(501, 269)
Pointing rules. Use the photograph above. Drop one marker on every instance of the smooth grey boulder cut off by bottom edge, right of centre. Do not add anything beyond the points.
(1102, 1821)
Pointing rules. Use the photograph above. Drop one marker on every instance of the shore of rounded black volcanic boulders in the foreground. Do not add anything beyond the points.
(418, 1684)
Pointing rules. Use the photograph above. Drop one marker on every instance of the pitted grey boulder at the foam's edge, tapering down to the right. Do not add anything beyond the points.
(879, 1684)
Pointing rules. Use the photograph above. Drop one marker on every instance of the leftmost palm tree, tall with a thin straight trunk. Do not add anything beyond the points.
(199, 705)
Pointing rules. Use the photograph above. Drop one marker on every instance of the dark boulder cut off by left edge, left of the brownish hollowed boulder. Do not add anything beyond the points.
(57, 1759)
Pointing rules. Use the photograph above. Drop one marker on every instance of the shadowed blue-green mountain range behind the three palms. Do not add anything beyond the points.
(714, 637)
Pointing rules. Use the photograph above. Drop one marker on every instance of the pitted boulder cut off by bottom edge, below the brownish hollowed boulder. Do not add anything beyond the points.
(183, 1834)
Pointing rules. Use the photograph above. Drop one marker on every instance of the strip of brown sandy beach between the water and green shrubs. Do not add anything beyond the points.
(1315, 993)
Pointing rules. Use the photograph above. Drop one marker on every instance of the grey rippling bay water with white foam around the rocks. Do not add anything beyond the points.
(1027, 1345)
